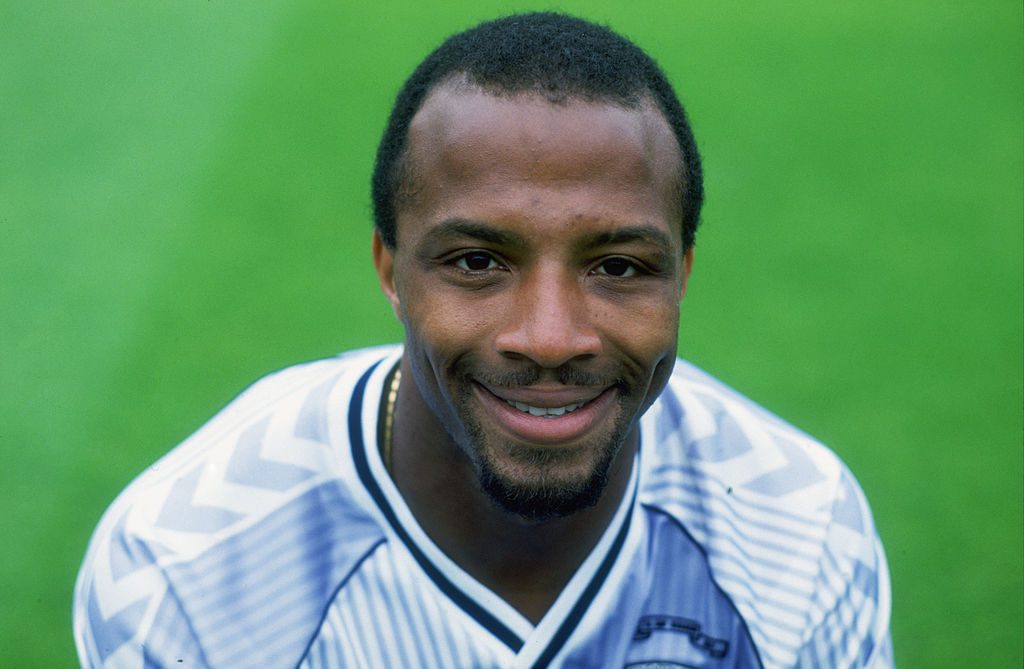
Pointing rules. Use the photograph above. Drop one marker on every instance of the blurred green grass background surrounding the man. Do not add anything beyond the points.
(185, 207)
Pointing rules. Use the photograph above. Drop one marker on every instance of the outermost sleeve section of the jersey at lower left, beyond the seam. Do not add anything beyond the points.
(125, 612)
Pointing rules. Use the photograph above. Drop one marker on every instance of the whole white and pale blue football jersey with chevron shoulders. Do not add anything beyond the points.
(275, 538)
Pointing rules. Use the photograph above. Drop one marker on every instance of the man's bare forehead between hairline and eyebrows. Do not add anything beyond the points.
(472, 149)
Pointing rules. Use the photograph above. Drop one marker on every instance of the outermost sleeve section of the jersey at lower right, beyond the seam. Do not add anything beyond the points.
(851, 607)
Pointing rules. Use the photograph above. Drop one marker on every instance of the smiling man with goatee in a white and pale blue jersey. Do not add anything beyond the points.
(534, 479)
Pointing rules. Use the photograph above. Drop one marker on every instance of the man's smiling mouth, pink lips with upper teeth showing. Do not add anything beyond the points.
(547, 417)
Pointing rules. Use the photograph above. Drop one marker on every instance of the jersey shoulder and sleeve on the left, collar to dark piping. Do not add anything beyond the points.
(253, 497)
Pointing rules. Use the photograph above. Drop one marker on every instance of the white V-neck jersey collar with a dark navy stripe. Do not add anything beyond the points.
(535, 646)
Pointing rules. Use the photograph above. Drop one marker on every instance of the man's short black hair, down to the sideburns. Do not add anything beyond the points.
(556, 56)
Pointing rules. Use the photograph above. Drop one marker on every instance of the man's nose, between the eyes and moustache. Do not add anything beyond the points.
(548, 321)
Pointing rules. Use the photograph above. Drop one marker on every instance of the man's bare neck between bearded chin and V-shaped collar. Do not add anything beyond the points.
(527, 563)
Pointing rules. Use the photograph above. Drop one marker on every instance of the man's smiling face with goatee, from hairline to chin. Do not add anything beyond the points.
(538, 273)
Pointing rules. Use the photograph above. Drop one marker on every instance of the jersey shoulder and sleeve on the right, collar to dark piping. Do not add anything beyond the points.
(786, 528)
